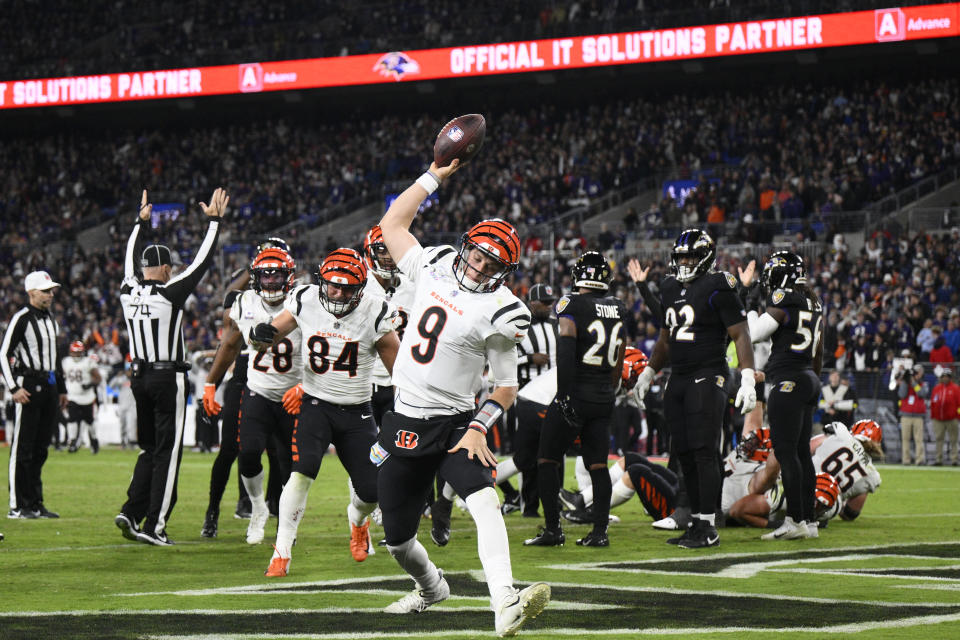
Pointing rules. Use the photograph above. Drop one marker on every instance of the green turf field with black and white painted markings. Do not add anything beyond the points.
(894, 573)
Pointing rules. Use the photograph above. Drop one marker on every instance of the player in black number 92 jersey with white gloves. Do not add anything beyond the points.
(701, 311)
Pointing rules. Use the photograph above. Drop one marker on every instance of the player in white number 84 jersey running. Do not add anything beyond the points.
(343, 331)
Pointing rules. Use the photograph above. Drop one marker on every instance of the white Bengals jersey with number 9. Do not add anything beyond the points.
(449, 333)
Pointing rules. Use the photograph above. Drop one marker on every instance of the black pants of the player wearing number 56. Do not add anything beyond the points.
(792, 400)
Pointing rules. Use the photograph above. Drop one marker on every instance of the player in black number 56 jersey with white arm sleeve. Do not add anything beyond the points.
(793, 319)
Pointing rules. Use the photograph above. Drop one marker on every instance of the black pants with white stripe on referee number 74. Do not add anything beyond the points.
(161, 398)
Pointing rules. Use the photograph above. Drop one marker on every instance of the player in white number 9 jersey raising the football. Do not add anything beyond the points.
(461, 319)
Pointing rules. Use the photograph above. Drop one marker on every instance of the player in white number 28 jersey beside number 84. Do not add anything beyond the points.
(270, 374)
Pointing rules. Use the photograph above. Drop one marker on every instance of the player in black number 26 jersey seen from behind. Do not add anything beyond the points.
(590, 350)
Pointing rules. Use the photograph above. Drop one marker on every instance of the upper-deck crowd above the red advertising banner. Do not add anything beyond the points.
(107, 36)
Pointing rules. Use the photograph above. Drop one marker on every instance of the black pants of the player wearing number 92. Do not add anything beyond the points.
(694, 404)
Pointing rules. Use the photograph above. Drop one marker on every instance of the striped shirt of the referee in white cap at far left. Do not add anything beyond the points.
(31, 343)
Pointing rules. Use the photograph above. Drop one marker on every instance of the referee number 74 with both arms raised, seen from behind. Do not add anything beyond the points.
(153, 309)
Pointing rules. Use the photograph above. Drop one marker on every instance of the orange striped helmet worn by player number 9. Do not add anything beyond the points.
(498, 241)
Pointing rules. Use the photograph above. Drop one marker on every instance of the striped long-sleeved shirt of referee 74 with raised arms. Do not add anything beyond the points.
(154, 310)
